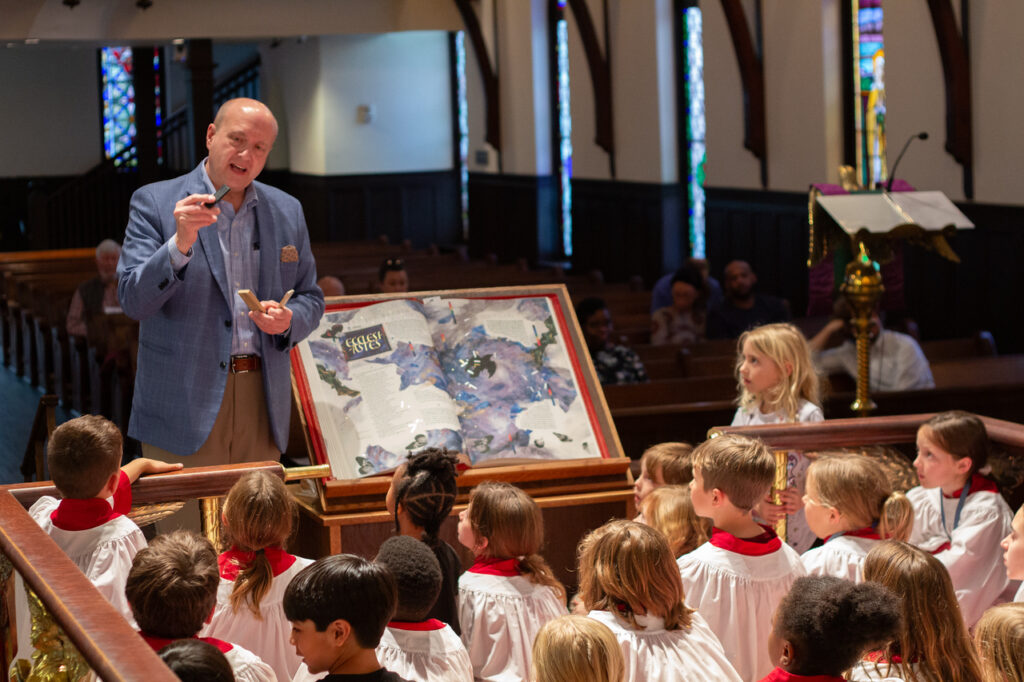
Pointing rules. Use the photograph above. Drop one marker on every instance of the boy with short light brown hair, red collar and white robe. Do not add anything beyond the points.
(738, 578)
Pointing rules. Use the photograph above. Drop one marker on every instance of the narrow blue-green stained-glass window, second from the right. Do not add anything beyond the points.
(697, 153)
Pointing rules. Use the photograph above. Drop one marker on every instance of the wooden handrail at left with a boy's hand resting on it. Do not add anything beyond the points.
(175, 487)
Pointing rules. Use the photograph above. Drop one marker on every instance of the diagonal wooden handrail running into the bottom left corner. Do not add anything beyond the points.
(104, 638)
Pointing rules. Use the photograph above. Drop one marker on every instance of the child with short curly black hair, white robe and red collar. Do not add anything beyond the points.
(414, 646)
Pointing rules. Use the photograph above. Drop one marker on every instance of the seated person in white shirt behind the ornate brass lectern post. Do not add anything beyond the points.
(897, 364)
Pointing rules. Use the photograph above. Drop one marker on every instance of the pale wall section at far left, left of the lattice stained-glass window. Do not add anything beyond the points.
(50, 113)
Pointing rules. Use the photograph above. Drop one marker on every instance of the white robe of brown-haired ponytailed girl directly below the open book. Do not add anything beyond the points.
(500, 618)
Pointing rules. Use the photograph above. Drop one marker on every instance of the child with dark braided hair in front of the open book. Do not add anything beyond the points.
(421, 497)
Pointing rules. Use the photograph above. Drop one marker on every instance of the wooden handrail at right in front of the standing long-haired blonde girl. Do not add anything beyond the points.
(851, 433)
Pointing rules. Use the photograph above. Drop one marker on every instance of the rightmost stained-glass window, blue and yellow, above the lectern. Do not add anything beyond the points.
(871, 92)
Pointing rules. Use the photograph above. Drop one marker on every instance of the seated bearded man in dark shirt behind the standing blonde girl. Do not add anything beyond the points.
(743, 309)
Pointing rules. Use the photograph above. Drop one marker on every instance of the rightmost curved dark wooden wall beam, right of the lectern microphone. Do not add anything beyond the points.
(957, 77)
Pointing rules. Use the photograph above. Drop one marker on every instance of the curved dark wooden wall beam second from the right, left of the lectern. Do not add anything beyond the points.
(752, 76)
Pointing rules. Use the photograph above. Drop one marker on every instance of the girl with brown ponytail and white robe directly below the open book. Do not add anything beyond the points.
(509, 592)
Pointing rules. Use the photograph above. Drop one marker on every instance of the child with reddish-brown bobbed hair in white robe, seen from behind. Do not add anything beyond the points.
(629, 582)
